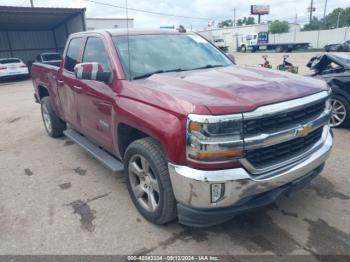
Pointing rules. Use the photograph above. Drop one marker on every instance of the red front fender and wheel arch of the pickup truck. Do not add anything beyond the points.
(136, 120)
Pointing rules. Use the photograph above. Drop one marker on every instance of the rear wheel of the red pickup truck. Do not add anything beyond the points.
(54, 126)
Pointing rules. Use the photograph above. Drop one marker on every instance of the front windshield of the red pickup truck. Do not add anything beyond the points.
(151, 54)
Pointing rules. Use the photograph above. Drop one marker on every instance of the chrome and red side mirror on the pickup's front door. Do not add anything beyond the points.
(92, 71)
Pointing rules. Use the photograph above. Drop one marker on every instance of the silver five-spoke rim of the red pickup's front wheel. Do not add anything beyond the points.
(144, 183)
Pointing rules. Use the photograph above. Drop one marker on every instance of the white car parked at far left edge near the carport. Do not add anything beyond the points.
(11, 68)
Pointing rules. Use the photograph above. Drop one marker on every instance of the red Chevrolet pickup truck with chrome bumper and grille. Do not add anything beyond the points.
(199, 138)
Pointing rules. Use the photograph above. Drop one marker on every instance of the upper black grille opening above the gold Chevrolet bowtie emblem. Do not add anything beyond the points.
(278, 121)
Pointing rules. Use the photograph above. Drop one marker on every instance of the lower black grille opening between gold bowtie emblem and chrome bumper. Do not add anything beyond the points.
(271, 155)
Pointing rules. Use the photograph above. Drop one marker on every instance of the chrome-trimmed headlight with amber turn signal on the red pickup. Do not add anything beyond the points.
(214, 138)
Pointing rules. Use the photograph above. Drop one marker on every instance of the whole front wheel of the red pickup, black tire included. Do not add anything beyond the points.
(148, 149)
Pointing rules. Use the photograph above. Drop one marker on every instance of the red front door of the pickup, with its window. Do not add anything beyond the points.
(95, 98)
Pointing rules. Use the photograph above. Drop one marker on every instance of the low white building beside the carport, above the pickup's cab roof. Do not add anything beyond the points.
(108, 23)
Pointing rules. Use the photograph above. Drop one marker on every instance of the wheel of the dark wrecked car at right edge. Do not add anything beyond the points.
(343, 106)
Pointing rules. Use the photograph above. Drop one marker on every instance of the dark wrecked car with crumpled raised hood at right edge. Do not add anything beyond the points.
(335, 70)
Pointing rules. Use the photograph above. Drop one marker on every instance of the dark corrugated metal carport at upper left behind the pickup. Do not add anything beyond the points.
(26, 31)
